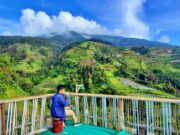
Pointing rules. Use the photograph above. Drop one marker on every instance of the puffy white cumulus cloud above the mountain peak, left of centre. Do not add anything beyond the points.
(40, 23)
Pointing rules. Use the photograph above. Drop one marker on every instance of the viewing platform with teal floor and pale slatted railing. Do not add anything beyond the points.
(99, 114)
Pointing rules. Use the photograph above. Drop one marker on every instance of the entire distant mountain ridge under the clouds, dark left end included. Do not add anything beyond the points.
(64, 39)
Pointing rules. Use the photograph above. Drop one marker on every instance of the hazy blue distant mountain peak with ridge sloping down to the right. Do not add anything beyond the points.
(114, 40)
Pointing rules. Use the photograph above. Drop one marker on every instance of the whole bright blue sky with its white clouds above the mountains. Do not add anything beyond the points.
(150, 19)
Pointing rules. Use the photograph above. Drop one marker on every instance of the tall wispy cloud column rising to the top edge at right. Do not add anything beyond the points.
(132, 25)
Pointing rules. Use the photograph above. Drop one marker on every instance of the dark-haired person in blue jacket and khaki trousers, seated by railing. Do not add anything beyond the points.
(59, 101)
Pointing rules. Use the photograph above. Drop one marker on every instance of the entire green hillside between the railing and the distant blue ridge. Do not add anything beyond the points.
(32, 68)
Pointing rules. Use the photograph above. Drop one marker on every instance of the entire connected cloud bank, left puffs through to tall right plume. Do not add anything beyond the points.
(36, 23)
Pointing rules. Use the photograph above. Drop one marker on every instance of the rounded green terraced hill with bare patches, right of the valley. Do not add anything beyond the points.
(107, 69)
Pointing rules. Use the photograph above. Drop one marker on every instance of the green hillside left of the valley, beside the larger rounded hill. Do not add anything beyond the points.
(21, 67)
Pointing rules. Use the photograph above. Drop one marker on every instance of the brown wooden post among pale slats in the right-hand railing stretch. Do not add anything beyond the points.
(120, 108)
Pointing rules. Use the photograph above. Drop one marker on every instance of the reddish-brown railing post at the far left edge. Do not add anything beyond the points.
(3, 128)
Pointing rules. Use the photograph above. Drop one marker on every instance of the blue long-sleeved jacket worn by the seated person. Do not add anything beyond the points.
(57, 106)
